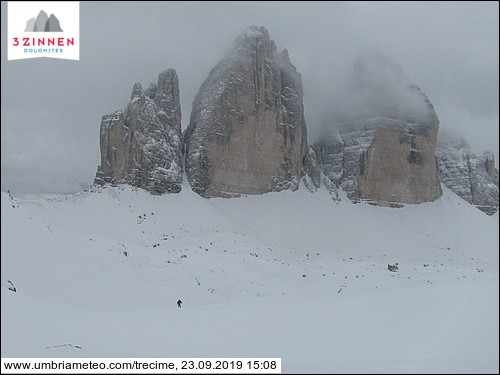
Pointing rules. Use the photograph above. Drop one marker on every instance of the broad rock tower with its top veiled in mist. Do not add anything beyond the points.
(383, 151)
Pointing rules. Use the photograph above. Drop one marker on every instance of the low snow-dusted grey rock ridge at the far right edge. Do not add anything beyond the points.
(473, 178)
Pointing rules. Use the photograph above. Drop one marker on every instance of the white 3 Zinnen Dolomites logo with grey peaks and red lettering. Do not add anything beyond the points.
(43, 29)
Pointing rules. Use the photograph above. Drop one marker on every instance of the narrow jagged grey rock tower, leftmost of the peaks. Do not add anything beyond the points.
(142, 146)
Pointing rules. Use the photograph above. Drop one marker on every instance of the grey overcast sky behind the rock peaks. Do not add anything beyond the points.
(51, 109)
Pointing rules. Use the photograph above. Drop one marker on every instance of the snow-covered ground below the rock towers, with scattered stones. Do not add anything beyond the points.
(290, 275)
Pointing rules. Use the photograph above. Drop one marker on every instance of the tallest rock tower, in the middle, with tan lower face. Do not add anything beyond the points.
(247, 133)
